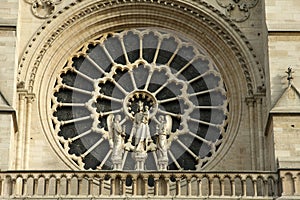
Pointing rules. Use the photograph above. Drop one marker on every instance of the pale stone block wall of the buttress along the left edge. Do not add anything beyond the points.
(8, 66)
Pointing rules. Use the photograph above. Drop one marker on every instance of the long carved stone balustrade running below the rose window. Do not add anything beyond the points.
(119, 184)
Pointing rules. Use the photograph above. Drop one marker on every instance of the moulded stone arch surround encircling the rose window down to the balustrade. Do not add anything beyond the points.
(55, 42)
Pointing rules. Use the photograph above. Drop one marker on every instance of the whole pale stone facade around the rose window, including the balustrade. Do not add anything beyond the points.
(251, 42)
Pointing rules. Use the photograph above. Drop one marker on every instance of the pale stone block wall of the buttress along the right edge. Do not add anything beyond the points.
(284, 45)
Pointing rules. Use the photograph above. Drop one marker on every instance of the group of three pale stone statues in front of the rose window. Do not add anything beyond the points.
(143, 142)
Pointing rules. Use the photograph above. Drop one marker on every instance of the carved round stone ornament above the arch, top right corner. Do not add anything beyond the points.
(238, 10)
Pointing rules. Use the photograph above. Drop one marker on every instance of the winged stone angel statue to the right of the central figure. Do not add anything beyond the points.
(163, 130)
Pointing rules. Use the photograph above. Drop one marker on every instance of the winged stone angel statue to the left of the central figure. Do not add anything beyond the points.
(117, 134)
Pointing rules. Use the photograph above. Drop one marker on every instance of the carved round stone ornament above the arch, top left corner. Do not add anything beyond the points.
(43, 8)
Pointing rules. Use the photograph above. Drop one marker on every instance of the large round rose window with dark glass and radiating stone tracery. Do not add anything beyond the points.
(141, 99)
